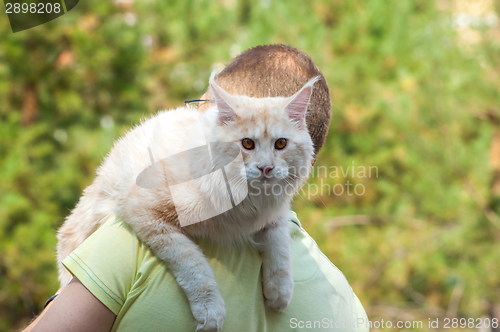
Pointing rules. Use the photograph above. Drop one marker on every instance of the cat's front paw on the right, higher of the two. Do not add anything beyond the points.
(278, 290)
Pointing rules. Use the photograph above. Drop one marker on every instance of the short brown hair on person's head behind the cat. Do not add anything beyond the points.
(278, 70)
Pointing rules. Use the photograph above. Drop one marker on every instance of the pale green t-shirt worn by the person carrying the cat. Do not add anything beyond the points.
(131, 281)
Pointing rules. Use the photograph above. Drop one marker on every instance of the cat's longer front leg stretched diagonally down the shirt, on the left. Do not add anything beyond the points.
(191, 270)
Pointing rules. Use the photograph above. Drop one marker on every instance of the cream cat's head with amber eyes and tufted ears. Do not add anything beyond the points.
(271, 133)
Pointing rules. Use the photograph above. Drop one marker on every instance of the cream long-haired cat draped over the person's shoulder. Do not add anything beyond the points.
(269, 133)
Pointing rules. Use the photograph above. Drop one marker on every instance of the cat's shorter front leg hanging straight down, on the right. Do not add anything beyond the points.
(277, 281)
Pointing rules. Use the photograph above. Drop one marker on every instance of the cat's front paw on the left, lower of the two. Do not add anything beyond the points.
(209, 311)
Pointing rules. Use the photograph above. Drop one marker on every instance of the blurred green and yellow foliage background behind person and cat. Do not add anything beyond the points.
(409, 98)
